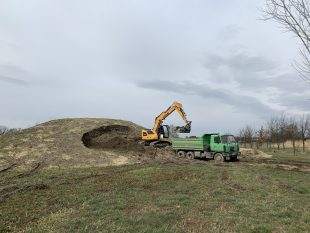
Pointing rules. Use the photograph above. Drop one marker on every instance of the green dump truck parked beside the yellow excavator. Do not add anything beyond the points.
(210, 146)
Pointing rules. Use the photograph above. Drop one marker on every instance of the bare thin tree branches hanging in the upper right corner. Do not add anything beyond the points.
(294, 16)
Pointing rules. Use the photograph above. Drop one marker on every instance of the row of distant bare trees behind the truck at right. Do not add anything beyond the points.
(276, 132)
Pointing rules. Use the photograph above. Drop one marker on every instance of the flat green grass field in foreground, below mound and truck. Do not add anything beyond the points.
(234, 197)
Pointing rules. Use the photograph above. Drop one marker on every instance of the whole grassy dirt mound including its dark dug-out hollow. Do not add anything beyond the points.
(58, 143)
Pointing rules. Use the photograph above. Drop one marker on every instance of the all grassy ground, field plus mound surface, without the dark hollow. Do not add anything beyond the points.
(51, 182)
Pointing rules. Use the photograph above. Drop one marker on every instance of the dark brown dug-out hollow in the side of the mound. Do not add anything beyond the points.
(112, 137)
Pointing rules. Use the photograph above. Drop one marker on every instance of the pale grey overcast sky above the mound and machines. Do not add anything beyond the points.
(131, 59)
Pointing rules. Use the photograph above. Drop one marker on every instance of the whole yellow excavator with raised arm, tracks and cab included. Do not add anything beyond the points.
(159, 135)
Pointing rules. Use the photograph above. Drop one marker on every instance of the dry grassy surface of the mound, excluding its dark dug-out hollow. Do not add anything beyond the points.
(56, 143)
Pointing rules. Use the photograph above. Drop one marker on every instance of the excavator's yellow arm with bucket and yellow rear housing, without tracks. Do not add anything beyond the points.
(153, 135)
